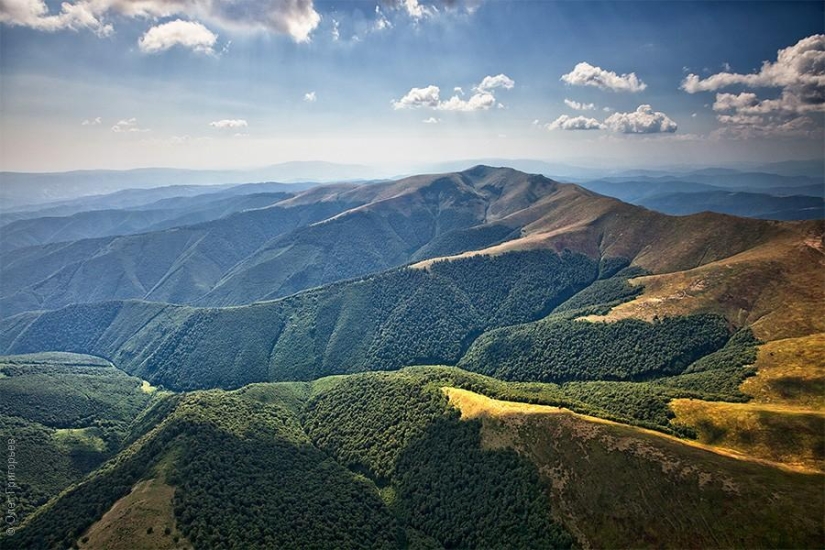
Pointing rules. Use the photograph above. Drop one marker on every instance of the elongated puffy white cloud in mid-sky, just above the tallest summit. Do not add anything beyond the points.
(430, 97)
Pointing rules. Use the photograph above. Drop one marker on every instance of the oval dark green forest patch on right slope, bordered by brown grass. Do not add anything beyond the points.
(561, 350)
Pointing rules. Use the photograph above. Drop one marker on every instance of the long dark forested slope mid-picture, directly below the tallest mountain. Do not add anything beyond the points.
(402, 317)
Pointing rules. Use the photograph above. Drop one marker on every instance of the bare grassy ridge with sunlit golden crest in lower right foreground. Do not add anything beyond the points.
(616, 486)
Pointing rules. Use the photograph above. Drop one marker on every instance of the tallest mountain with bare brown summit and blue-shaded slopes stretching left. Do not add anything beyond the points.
(333, 233)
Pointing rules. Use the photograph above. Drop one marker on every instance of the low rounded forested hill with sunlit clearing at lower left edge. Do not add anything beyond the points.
(67, 414)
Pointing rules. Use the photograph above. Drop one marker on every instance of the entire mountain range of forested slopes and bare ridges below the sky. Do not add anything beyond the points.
(472, 359)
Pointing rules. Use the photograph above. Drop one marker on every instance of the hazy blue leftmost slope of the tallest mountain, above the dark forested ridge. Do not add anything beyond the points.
(173, 265)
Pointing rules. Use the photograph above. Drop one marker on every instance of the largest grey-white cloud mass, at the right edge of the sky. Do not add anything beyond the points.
(799, 74)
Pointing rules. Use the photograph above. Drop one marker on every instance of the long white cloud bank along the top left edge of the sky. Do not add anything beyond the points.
(296, 18)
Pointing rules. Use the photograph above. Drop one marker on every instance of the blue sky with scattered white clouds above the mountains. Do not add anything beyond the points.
(118, 84)
